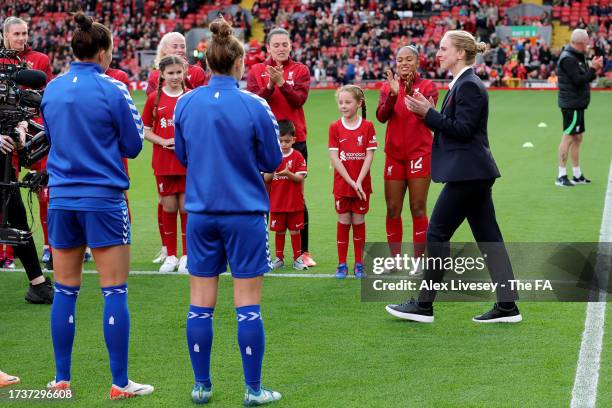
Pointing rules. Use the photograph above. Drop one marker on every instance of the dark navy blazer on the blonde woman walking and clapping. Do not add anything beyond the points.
(460, 148)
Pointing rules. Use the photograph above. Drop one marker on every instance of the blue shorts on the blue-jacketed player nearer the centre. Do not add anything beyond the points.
(214, 240)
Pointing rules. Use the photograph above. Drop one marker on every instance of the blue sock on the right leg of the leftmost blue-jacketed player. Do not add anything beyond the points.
(117, 331)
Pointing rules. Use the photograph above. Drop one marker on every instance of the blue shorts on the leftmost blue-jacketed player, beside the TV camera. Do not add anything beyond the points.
(69, 228)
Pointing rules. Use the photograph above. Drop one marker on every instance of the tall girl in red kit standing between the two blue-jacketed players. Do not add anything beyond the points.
(158, 119)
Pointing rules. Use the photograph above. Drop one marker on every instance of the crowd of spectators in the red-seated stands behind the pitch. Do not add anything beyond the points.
(340, 40)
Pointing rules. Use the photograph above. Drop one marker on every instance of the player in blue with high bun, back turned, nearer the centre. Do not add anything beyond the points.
(226, 137)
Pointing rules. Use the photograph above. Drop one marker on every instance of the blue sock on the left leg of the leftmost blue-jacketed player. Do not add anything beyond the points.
(62, 328)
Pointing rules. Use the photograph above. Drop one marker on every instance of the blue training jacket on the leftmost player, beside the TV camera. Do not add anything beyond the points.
(91, 123)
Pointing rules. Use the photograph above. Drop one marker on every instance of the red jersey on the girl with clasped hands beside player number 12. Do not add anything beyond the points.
(352, 145)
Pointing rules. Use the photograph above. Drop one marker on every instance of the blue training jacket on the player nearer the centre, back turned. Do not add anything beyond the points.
(225, 137)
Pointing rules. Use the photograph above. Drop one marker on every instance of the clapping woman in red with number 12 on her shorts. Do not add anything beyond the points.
(407, 149)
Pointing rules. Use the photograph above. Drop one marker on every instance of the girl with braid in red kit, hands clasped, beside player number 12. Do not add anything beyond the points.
(352, 142)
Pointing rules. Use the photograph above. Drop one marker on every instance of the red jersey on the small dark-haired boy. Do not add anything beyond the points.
(287, 195)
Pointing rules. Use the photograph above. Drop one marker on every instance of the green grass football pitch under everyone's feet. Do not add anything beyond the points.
(324, 346)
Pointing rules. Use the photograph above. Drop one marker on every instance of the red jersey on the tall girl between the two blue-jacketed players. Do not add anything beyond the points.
(164, 160)
